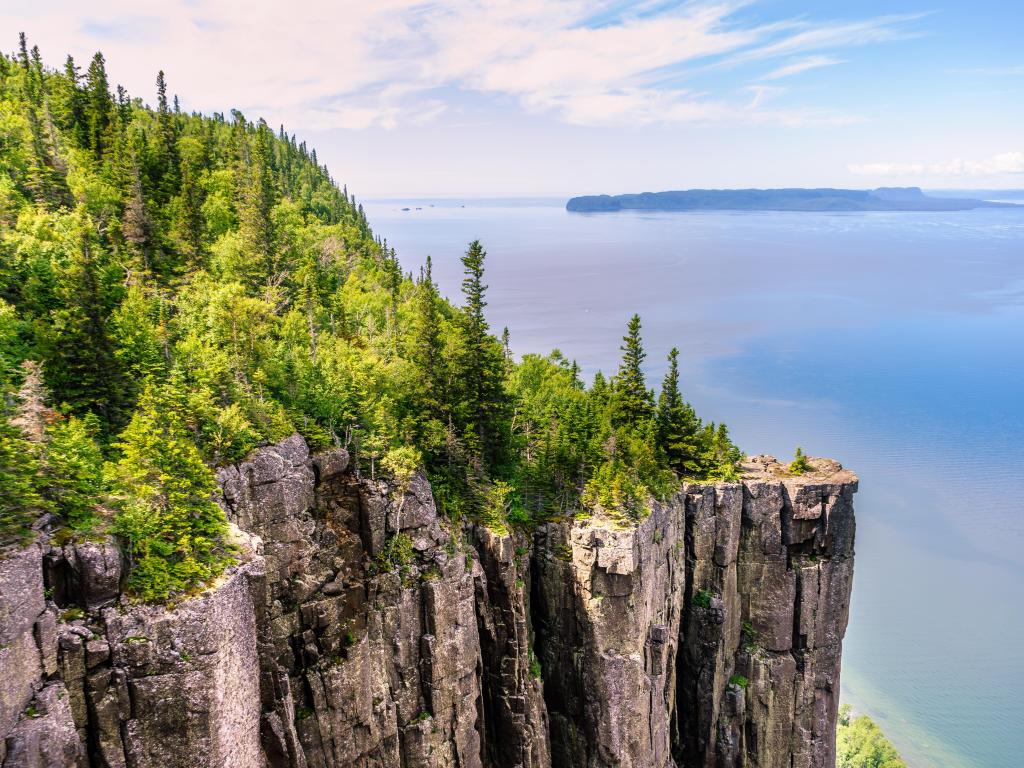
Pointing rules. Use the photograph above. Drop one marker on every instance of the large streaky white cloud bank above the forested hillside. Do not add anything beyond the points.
(383, 64)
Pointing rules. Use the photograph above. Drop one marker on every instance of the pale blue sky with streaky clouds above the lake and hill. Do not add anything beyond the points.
(539, 98)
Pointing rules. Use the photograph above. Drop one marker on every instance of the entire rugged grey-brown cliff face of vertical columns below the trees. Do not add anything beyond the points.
(361, 630)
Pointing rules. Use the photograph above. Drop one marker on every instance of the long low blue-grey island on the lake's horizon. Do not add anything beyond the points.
(883, 199)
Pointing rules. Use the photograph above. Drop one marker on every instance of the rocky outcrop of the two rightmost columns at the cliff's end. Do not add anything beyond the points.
(708, 635)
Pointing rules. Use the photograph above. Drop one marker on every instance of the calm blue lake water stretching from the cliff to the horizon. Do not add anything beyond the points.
(893, 343)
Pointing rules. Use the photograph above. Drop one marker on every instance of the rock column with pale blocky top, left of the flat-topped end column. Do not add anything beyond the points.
(610, 604)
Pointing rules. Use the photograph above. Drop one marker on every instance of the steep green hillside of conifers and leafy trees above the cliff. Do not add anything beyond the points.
(177, 290)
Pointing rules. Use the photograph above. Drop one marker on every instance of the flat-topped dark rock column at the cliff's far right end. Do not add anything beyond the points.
(773, 566)
